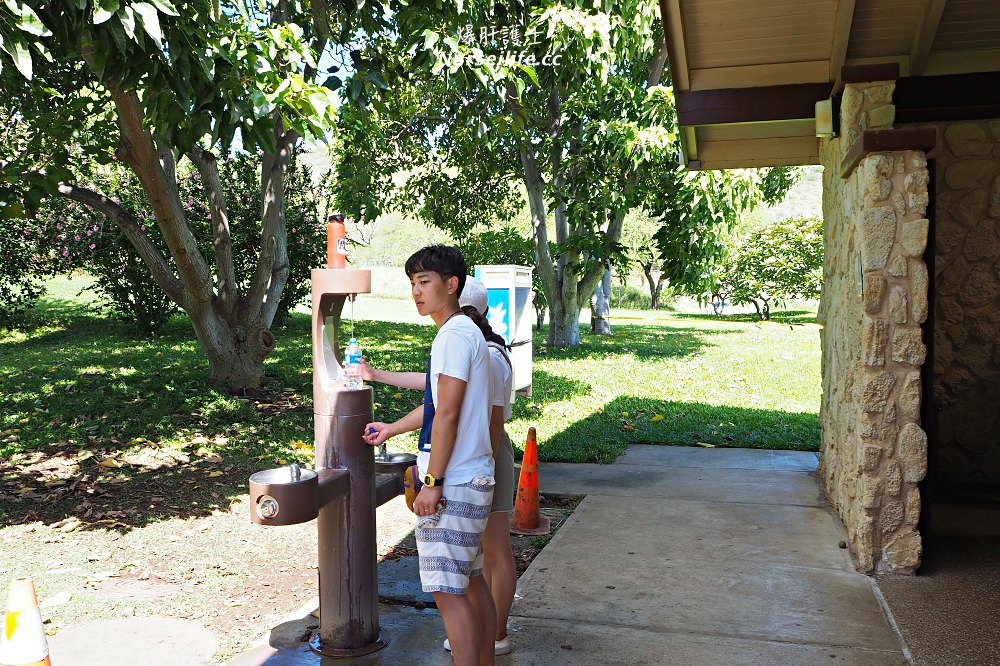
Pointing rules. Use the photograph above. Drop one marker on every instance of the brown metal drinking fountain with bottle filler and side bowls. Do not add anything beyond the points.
(344, 489)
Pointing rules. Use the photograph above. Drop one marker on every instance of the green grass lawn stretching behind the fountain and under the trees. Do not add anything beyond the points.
(82, 380)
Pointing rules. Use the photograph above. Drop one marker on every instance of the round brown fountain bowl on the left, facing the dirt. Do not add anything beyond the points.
(284, 496)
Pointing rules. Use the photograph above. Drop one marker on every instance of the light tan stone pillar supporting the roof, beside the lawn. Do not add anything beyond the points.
(874, 451)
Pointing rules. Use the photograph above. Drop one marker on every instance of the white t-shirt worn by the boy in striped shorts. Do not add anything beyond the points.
(459, 351)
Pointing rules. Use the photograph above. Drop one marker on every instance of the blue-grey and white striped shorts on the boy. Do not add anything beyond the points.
(450, 542)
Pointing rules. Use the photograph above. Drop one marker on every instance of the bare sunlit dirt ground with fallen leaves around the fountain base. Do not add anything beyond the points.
(172, 538)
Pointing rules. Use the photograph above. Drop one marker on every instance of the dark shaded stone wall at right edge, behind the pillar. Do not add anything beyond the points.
(966, 372)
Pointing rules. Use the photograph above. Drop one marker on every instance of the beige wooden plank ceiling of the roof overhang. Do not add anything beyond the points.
(720, 48)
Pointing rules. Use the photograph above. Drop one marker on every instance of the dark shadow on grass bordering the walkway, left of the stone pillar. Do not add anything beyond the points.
(605, 434)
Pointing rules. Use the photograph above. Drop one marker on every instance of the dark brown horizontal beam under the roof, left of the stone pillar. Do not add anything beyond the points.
(744, 105)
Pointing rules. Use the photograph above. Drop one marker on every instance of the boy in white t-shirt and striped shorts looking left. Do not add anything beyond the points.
(455, 459)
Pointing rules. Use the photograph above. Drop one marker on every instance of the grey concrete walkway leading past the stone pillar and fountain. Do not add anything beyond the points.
(675, 556)
